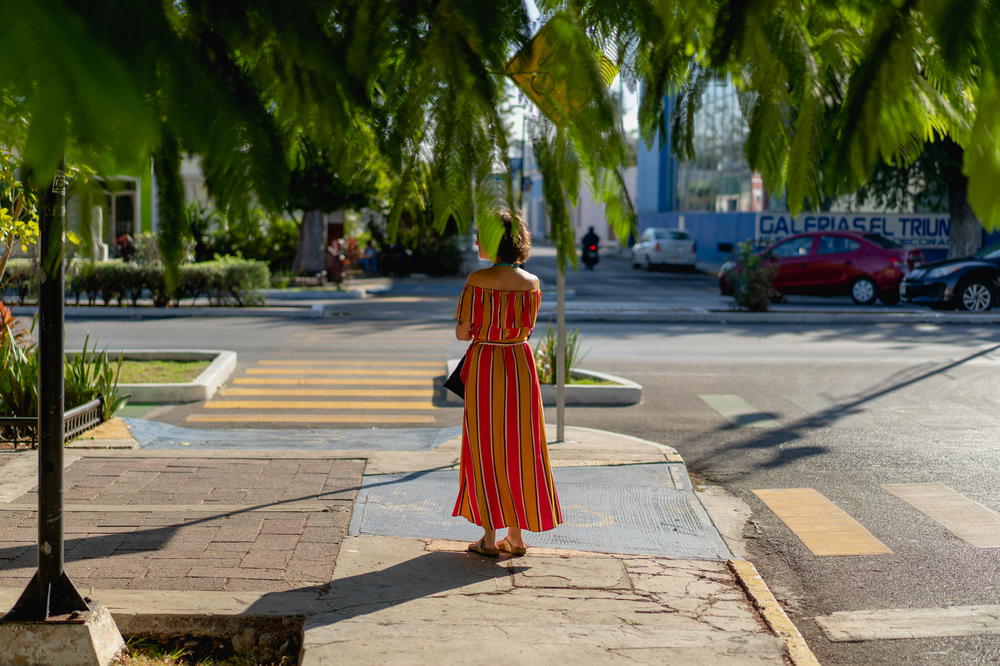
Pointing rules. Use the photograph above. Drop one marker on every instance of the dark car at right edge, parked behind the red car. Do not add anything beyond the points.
(970, 283)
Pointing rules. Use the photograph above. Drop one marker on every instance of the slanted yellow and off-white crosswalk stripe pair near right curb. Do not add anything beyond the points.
(827, 530)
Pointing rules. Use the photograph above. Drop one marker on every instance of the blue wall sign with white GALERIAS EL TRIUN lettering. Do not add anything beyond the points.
(907, 229)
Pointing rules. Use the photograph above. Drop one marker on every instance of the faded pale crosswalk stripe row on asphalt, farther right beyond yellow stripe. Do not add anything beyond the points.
(898, 411)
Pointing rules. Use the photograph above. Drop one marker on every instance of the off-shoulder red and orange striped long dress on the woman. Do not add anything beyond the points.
(505, 476)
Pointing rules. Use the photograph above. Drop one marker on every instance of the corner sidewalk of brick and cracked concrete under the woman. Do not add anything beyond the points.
(163, 535)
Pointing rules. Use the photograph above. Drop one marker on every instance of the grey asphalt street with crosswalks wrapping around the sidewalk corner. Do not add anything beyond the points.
(879, 421)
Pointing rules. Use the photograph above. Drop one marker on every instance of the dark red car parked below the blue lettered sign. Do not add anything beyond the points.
(866, 266)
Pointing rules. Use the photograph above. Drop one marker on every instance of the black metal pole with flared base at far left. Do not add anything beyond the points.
(50, 592)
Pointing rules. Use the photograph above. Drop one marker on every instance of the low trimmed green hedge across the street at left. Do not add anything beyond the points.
(224, 281)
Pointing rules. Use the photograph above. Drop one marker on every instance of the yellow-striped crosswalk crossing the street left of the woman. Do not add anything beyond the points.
(324, 376)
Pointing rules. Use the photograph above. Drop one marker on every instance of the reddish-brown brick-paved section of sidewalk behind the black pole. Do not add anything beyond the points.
(174, 541)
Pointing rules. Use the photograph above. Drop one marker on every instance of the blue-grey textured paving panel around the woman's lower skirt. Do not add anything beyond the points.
(633, 509)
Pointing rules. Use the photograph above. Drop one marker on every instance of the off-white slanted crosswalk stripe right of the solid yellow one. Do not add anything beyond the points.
(970, 521)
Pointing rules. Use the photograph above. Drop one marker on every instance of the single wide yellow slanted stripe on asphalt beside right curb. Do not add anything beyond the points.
(822, 526)
